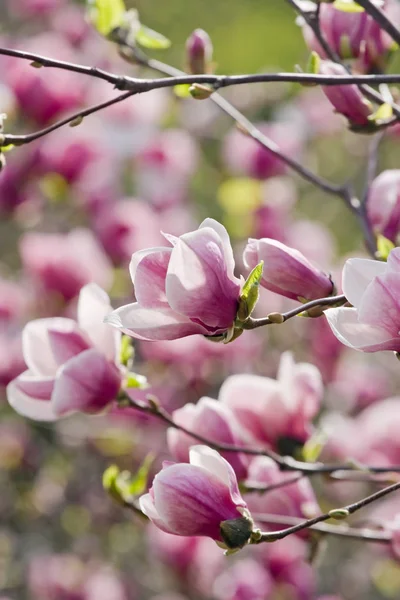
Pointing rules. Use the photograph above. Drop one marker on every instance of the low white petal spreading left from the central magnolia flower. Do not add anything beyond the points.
(147, 324)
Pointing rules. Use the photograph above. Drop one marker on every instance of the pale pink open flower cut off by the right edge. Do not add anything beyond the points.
(373, 323)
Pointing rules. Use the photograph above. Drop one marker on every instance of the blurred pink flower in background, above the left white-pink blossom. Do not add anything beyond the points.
(64, 263)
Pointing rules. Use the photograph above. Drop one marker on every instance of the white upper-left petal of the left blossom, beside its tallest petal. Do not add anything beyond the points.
(36, 347)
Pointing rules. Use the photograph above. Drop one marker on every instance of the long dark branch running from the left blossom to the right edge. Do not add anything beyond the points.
(286, 463)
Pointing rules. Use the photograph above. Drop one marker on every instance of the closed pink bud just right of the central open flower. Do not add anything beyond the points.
(286, 271)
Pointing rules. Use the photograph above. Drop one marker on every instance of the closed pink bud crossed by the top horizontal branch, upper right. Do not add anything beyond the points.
(346, 99)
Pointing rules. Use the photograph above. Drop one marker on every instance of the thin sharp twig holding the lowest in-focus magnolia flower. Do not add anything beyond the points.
(339, 513)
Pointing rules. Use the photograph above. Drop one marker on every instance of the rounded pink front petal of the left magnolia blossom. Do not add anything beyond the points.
(87, 382)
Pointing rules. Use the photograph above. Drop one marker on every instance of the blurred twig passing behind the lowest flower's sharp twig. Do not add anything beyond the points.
(363, 534)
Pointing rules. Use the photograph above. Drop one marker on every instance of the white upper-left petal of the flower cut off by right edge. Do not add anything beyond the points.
(357, 275)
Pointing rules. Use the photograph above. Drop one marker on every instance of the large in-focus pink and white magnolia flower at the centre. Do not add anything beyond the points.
(187, 289)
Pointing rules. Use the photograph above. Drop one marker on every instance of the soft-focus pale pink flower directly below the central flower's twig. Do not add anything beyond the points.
(282, 408)
